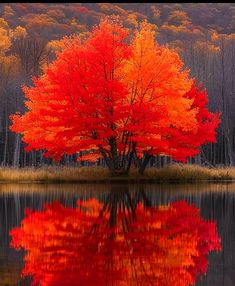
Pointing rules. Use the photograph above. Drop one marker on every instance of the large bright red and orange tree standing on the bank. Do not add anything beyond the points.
(119, 96)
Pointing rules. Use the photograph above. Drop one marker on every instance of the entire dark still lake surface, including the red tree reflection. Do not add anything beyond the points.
(135, 208)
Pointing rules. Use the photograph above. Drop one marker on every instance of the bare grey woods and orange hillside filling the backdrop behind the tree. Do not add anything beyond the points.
(203, 34)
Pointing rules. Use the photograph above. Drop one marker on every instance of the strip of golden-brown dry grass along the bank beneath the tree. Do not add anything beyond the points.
(172, 173)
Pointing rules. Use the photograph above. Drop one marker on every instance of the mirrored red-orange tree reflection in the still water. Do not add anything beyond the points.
(122, 241)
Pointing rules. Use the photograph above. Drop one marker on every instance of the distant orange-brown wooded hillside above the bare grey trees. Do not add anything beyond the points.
(52, 21)
